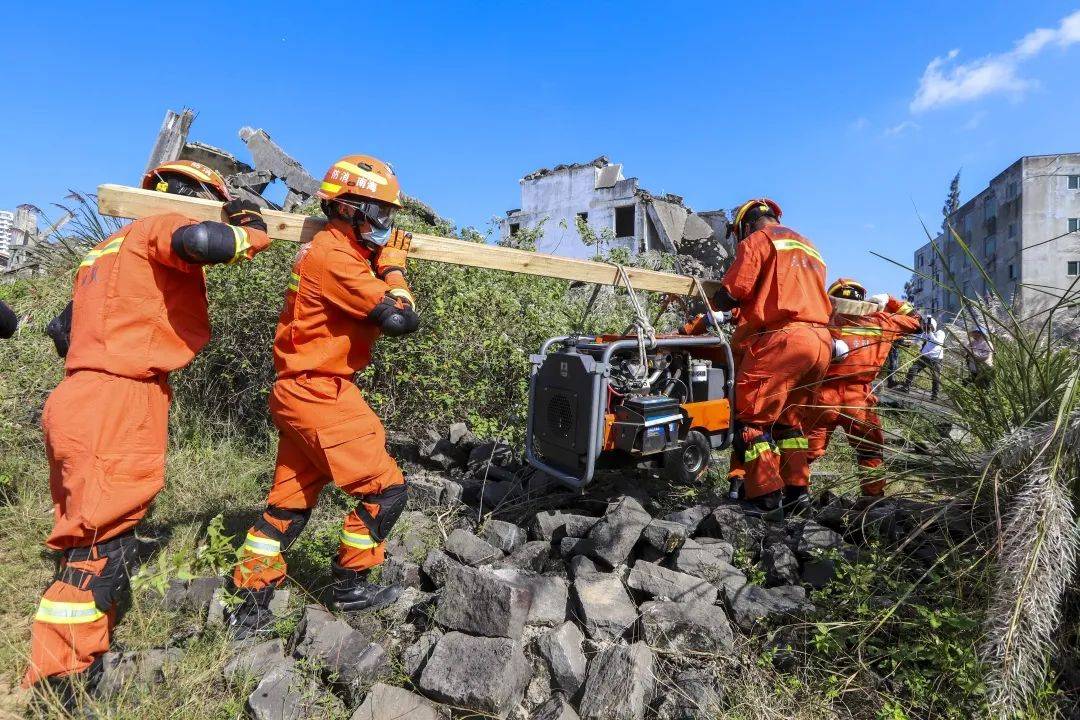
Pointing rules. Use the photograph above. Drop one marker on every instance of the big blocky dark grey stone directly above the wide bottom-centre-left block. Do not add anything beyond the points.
(482, 603)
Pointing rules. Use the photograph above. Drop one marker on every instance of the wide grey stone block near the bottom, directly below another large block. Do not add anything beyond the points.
(489, 675)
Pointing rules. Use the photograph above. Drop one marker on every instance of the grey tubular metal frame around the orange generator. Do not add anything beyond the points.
(600, 389)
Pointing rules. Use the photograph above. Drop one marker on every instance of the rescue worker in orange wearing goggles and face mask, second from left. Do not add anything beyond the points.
(348, 288)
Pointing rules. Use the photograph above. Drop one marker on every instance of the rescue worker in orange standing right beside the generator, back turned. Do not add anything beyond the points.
(778, 284)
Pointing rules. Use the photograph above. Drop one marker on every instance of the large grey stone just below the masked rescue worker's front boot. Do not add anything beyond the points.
(347, 656)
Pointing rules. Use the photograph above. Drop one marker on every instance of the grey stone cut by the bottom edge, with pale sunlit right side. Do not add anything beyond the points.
(620, 684)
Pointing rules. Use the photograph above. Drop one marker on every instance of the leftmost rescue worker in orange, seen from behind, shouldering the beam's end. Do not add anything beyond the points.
(139, 313)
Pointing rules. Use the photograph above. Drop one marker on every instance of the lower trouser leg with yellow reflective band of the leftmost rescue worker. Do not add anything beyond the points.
(70, 632)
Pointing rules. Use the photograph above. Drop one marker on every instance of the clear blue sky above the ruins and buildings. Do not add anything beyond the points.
(854, 116)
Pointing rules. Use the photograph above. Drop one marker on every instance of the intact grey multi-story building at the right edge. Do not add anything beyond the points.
(1024, 232)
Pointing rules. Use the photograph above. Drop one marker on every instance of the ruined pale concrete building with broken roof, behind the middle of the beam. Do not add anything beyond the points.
(616, 209)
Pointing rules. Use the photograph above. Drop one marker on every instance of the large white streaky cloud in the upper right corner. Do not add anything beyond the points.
(946, 81)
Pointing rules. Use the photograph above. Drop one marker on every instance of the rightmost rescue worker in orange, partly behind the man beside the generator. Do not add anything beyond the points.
(845, 399)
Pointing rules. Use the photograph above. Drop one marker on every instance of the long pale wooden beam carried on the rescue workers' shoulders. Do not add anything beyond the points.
(120, 201)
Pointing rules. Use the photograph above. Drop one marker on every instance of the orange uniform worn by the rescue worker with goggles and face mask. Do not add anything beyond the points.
(327, 431)
